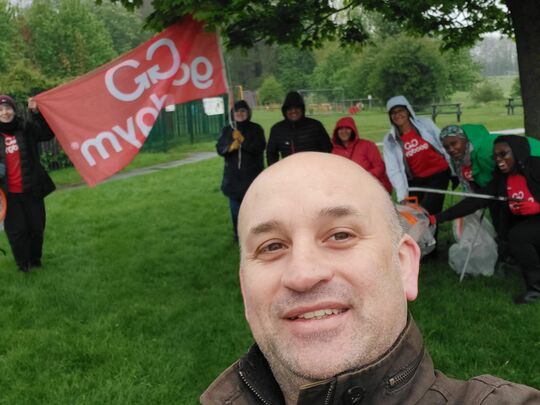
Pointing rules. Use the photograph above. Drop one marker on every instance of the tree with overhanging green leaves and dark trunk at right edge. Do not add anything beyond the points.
(309, 23)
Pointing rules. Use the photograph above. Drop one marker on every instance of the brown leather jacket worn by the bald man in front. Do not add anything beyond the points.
(403, 375)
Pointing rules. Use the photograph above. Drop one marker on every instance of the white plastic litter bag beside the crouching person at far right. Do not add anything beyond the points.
(483, 256)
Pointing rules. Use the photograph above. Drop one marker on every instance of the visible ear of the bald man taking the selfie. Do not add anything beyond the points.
(409, 263)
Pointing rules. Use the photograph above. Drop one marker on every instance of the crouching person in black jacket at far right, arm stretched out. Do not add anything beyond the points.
(516, 178)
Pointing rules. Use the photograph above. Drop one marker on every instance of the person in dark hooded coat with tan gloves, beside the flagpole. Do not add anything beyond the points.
(242, 145)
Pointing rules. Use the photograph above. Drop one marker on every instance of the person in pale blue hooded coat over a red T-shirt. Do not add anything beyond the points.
(414, 155)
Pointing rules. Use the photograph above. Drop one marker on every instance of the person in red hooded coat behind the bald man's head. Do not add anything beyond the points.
(347, 143)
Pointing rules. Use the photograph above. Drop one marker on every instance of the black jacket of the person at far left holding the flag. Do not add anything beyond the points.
(28, 133)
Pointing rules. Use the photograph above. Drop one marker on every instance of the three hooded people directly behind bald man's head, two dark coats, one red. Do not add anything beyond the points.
(243, 144)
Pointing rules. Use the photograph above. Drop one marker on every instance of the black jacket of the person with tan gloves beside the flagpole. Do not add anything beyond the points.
(243, 165)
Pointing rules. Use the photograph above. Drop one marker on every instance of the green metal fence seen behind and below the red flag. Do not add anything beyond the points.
(186, 124)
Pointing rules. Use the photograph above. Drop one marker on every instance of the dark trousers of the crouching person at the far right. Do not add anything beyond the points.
(524, 241)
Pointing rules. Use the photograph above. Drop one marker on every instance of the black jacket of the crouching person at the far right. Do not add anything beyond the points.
(527, 165)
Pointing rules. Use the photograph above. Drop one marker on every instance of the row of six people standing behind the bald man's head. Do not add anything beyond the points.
(416, 155)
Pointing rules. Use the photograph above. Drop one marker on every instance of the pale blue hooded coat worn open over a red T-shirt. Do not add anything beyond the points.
(396, 166)
